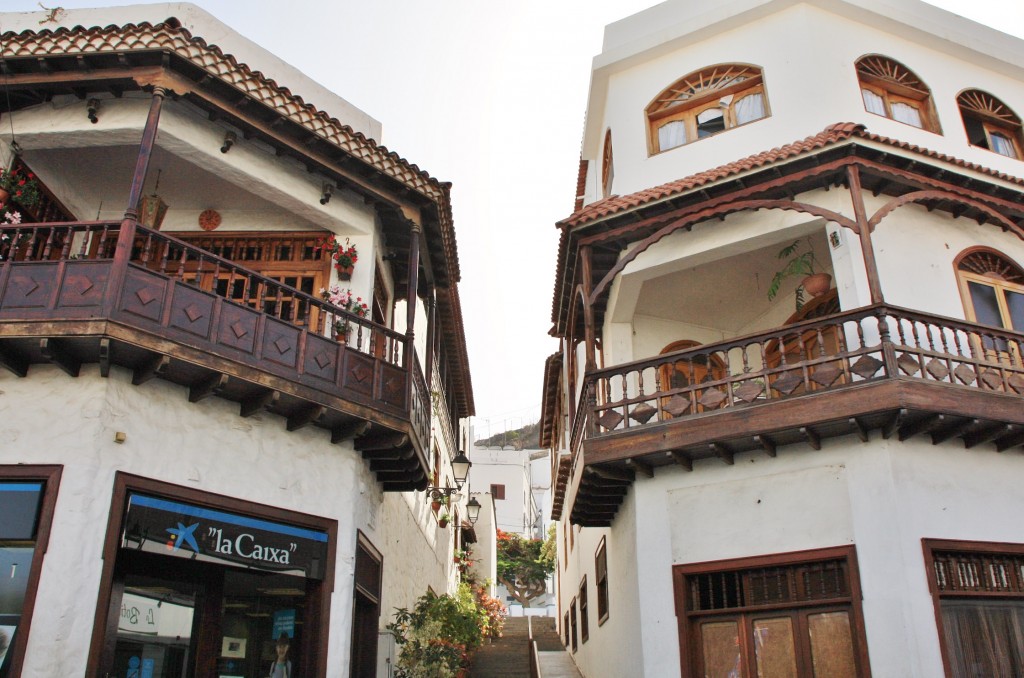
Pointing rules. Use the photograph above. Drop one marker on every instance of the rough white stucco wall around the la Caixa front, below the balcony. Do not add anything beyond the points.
(50, 418)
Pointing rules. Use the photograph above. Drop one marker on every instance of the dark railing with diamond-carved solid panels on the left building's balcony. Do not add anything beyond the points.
(70, 272)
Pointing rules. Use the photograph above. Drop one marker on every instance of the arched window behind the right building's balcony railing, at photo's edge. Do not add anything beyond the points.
(993, 288)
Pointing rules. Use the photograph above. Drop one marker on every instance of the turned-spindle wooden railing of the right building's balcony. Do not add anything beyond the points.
(837, 353)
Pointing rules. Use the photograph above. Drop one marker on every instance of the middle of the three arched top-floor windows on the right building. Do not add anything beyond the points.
(892, 91)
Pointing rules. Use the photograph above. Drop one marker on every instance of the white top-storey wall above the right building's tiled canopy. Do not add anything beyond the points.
(809, 77)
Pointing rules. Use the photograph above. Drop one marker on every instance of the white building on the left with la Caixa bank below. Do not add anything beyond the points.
(200, 456)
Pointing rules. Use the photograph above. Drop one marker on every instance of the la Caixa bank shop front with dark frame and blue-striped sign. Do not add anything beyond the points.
(204, 585)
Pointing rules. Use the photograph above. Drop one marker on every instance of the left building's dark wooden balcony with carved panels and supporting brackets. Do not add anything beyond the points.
(71, 294)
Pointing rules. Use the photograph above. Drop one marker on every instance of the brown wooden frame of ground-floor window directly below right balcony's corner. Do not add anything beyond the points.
(689, 621)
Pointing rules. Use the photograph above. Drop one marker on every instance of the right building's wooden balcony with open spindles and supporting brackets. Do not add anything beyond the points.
(879, 368)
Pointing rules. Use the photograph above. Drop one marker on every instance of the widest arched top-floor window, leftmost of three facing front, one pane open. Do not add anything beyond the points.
(705, 103)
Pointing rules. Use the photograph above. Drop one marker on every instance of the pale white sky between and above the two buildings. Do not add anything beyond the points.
(492, 98)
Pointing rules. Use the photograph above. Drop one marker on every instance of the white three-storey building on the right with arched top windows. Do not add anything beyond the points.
(753, 477)
